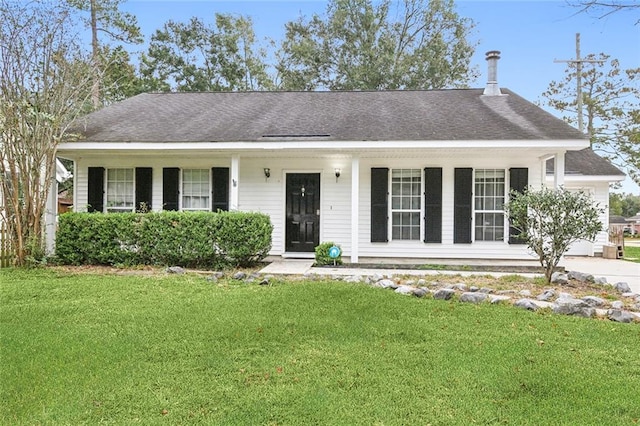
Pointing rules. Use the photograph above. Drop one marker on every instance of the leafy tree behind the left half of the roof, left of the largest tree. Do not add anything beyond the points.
(195, 56)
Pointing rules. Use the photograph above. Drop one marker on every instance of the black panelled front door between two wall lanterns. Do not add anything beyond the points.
(303, 212)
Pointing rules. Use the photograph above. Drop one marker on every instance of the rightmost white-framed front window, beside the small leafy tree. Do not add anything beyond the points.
(497, 198)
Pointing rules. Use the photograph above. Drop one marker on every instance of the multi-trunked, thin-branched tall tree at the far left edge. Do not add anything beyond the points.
(43, 87)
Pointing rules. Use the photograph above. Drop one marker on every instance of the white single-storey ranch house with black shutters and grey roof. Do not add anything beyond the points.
(384, 174)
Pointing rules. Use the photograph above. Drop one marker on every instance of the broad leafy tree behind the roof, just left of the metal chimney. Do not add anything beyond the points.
(367, 45)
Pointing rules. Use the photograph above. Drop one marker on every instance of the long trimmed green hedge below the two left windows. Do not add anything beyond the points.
(188, 239)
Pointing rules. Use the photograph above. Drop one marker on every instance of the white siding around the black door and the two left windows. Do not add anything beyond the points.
(256, 193)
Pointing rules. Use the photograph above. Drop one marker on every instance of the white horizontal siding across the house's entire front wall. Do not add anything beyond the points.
(257, 193)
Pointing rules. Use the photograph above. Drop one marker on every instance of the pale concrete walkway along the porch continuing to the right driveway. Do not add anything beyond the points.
(613, 270)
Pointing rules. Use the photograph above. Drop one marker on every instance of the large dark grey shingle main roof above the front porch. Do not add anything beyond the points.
(457, 114)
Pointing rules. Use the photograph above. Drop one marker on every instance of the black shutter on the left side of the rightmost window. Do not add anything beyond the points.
(462, 207)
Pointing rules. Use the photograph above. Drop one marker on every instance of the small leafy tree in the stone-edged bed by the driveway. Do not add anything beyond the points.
(550, 220)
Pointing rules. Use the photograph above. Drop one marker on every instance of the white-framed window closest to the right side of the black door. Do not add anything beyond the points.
(414, 194)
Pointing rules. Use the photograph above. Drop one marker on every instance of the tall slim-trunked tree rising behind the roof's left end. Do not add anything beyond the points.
(106, 17)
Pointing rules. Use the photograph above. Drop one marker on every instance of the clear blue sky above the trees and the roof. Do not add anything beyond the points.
(530, 35)
